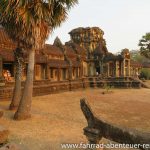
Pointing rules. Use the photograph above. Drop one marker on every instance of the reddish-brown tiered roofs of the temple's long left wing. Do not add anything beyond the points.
(7, 46)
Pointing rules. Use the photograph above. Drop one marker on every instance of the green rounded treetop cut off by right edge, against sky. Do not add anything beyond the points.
(144, 44)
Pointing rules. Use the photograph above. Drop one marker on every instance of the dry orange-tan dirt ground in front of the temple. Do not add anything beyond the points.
(57, 118)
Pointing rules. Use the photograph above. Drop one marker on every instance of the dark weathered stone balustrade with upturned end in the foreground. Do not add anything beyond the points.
(98, 128)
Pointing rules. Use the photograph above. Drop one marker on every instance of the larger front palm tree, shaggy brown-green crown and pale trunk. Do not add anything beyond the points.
(34, 20)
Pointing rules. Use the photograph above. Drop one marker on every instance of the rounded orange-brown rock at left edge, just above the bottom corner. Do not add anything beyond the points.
(3, 134)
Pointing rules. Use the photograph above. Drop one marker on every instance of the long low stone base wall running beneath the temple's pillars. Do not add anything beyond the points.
(44, 87)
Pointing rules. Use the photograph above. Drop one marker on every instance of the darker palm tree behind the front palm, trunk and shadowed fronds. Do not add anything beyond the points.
(19, 60)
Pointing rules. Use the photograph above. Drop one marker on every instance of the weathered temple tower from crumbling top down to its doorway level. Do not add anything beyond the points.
(92, 40)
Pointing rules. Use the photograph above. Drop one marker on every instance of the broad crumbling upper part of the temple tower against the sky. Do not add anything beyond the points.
(89, 38)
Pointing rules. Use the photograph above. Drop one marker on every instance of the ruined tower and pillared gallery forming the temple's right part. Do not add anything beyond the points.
(99, 60)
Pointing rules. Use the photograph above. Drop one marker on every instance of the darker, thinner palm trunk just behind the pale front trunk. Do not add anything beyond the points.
(17, 88)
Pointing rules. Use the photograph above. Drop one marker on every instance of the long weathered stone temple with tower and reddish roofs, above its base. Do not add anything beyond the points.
(85, 55)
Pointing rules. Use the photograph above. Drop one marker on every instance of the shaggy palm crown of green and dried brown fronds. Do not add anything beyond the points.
(30, 21)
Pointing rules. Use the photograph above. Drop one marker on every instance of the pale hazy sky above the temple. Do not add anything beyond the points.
(124, 22)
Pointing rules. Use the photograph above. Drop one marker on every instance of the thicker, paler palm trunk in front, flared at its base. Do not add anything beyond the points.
(24, 109)
